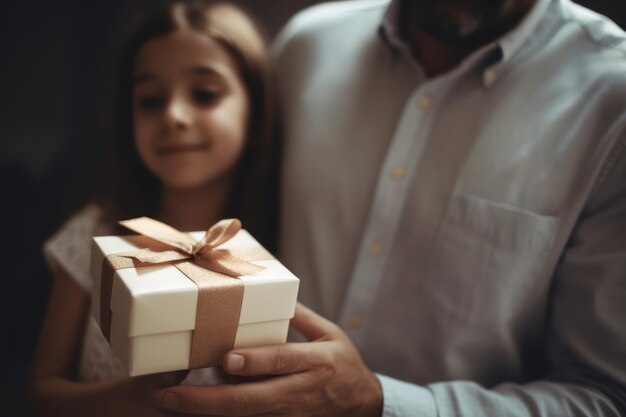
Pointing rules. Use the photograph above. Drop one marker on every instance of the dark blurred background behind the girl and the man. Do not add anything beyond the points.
(57, 78)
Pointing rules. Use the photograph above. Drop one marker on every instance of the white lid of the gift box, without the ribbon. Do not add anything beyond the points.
(161, 299)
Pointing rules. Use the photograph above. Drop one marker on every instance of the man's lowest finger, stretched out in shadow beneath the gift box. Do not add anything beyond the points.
(249, 399)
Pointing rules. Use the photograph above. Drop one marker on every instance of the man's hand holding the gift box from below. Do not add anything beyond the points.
(325, 377)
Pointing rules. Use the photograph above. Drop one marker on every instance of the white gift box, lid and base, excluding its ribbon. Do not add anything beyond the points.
(153, 308)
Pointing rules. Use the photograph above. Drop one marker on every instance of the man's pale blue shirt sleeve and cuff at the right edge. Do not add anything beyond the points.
(586, 346)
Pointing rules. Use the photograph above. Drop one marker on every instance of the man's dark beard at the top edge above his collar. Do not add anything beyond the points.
(458, 21)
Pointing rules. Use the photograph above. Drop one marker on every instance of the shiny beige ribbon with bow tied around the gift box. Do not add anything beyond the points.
(211, 269)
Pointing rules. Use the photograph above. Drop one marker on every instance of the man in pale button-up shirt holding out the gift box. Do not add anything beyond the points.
(455, 200)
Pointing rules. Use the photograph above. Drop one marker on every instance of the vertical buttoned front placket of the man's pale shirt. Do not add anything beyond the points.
(390, 195)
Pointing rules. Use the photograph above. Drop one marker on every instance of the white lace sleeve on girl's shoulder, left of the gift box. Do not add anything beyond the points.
(69, 248)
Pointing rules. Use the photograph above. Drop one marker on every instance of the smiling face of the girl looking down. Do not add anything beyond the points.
(190, 109)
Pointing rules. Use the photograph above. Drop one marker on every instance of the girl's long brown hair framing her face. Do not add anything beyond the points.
(130, 190)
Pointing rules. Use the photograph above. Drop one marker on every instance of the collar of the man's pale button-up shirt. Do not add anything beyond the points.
(508, 44)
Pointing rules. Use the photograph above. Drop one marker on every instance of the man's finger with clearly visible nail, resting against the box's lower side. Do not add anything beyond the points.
(271, 360)
